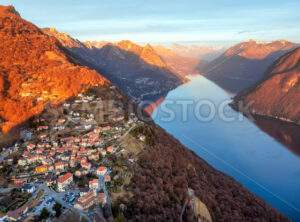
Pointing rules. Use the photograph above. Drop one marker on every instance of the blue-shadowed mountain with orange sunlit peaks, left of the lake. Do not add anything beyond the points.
(137, 71)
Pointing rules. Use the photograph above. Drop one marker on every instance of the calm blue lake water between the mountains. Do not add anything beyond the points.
(236, 147)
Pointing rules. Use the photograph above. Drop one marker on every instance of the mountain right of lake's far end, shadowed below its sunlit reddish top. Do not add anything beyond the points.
(244, 64)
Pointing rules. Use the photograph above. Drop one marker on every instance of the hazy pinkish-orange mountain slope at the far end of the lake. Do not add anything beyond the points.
(182, 65)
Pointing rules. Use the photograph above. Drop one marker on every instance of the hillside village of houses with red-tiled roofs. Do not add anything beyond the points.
(67, 163)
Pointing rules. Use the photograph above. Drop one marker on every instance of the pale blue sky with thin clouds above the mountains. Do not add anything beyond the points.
(210, 22)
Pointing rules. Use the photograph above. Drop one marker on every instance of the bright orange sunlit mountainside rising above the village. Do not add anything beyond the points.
(35, 70)
